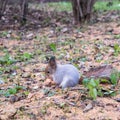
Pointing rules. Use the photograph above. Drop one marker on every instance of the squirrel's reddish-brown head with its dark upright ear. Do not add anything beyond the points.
(51, 67)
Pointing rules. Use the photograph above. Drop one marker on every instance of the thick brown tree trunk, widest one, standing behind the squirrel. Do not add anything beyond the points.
(82, 10)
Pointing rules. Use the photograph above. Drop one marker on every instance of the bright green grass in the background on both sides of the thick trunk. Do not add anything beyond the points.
(66, 6)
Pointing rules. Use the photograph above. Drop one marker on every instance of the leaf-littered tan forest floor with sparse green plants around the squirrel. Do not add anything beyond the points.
(24, 91)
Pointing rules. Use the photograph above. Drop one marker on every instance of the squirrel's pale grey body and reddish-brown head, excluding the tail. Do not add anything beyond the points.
(64, 75)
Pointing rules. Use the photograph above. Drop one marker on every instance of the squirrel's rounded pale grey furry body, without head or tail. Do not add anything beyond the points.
(66, 75)
